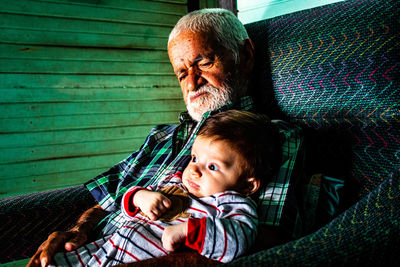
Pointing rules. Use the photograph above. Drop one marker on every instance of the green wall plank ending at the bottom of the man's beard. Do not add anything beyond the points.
(52, 123)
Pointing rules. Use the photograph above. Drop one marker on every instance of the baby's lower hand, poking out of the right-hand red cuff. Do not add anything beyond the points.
(174, 236)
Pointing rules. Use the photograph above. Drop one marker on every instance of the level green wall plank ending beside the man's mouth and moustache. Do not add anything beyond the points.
(34, 95)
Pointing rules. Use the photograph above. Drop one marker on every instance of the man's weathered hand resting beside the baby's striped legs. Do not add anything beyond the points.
(70, 240)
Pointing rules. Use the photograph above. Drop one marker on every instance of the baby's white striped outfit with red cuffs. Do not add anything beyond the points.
(221, 227)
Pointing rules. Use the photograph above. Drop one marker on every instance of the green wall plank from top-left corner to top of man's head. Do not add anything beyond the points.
(92, 13)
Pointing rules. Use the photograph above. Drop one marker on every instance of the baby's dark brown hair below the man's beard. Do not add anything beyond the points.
(253, 136)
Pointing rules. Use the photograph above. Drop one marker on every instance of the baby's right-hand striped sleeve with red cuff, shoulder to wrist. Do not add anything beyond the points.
(228, 235)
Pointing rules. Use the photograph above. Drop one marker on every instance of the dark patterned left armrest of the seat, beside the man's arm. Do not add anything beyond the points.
(27, 220)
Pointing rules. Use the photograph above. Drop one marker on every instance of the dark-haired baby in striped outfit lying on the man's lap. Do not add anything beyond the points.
(206, 208)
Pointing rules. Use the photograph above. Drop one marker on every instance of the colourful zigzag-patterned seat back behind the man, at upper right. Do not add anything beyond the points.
(337, 67)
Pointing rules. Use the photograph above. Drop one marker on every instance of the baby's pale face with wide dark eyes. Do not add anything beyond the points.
(215, 167)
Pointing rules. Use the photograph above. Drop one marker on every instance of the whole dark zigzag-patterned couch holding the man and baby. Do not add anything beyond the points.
(333, 70)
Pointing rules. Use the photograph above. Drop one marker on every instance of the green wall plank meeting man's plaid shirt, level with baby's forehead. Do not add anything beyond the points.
(41, 152)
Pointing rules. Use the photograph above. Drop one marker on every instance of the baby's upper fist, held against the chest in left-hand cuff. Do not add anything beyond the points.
(152, 204)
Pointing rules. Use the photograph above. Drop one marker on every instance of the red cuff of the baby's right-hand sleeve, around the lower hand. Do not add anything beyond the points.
(196, 234)
